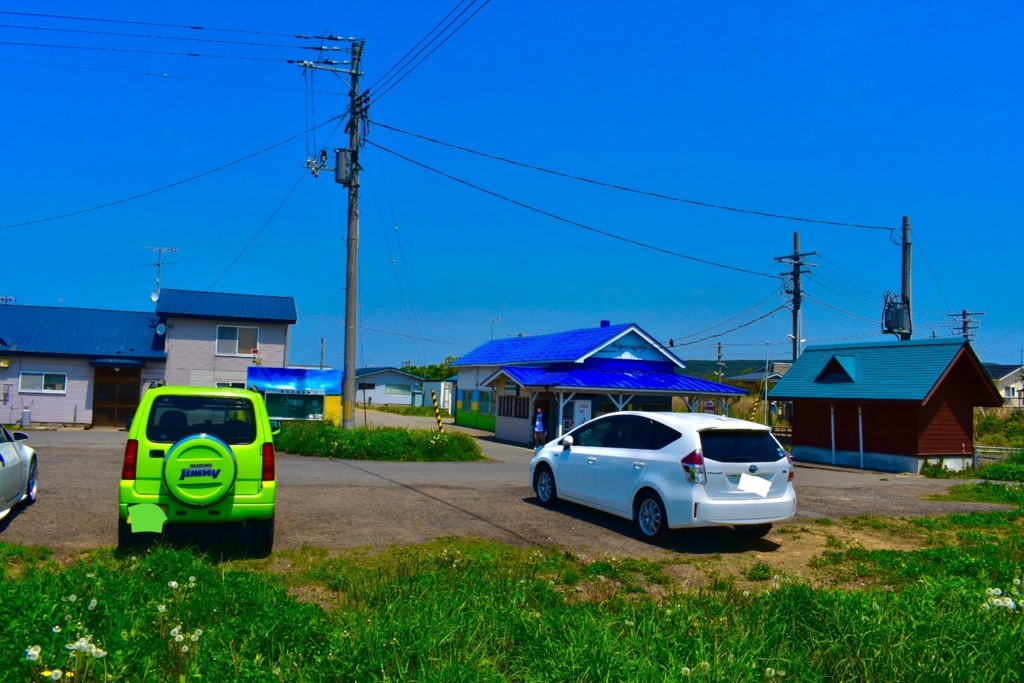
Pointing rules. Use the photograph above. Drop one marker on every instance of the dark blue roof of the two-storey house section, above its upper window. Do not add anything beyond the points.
(254, 308)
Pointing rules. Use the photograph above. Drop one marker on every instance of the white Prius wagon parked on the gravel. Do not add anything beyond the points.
(671, 471)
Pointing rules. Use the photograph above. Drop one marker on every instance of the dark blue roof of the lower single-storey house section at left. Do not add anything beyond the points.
(80, 332)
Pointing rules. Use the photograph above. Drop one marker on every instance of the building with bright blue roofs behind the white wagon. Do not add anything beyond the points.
(574, 377)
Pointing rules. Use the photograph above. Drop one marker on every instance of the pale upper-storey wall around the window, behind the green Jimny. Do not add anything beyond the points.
(192, 346)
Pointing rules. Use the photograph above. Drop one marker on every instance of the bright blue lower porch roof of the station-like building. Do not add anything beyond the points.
(583, 378)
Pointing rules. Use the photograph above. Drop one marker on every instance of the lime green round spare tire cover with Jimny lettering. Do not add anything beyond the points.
(200, 471)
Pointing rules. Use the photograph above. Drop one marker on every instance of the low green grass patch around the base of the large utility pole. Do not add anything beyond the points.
(388, 444)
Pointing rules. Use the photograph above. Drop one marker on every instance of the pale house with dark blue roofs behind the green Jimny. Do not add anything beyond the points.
(91, 367)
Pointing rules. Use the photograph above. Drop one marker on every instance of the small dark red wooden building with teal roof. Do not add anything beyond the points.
(887, 406)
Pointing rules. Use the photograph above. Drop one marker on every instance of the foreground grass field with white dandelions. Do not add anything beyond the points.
(473, 611)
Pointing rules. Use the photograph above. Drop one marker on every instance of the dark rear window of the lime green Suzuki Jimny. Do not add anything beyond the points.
(174, 418)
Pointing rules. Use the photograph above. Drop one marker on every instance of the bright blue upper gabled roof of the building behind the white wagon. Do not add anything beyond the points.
(558, 348)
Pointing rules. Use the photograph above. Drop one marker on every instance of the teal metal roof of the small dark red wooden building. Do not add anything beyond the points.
(874, 371)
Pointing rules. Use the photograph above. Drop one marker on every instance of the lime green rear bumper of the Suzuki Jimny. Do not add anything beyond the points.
(233, 508)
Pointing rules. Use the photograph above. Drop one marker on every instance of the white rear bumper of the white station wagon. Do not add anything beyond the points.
(696, 509)
